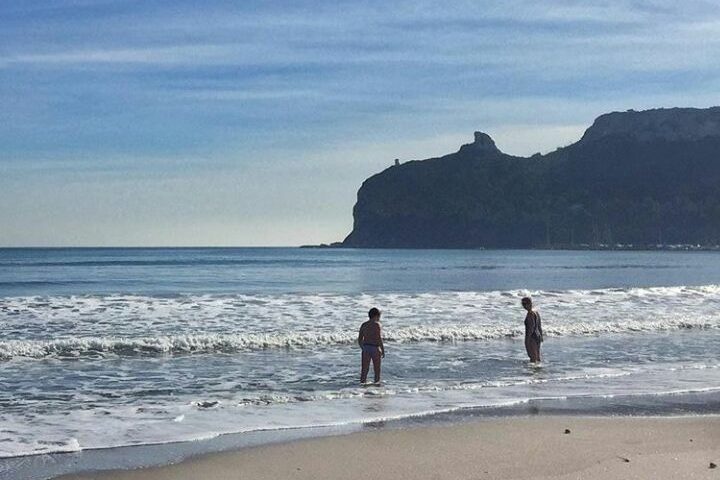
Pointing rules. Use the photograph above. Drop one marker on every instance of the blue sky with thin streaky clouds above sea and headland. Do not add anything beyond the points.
(209, 123)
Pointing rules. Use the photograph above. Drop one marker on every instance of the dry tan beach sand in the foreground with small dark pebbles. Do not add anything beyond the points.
(497, 448)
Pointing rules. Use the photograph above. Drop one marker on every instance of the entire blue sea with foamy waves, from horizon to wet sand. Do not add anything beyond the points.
(115, 347)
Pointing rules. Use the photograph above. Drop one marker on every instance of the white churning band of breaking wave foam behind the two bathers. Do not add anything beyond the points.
(39, 327)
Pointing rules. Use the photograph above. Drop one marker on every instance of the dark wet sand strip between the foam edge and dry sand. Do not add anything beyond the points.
(691, 406)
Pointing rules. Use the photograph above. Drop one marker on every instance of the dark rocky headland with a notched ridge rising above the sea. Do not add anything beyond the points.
(639, 178)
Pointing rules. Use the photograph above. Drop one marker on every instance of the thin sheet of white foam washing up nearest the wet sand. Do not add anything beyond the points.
(122, 427)
